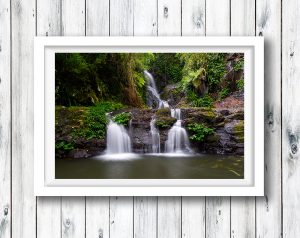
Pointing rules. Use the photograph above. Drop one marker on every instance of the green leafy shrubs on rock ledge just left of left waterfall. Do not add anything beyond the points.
(94, 125)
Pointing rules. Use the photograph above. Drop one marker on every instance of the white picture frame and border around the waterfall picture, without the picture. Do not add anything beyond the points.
(45, 183)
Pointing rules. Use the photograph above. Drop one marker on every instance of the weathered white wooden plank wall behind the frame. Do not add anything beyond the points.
(274, 215)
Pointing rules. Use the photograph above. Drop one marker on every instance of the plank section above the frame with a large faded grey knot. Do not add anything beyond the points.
(193, 18)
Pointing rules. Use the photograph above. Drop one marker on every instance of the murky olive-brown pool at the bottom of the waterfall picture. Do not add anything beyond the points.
(147, 166)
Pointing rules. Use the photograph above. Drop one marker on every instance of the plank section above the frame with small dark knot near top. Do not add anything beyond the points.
(169, 17)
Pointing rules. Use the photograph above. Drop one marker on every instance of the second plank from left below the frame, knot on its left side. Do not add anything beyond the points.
(73, 217)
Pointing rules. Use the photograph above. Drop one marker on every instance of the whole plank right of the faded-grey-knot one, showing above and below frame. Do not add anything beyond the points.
(218, 208)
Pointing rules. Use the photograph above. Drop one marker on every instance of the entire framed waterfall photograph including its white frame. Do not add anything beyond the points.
(149, 116)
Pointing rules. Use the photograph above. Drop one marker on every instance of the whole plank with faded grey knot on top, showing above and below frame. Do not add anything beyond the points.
(193, 208)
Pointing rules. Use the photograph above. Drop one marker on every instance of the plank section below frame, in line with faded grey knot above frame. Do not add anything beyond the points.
(193, 217)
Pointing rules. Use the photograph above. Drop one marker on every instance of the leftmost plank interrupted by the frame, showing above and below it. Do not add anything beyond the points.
(48, 208)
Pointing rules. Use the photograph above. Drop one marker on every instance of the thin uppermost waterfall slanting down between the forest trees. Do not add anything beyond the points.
(153, 97)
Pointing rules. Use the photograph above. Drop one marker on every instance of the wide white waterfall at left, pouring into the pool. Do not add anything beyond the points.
(118, 140)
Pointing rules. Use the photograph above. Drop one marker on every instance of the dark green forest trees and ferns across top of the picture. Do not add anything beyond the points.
(85, 79)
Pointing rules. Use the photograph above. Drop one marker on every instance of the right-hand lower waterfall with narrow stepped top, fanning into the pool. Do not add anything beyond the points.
(178, 140)
